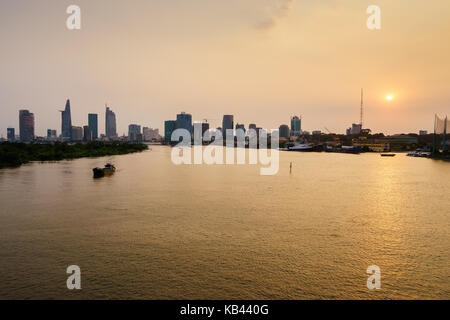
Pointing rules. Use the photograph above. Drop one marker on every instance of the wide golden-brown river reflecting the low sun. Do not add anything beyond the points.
(155, 230)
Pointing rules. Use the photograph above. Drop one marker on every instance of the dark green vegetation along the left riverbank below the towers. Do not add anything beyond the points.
(16, 154)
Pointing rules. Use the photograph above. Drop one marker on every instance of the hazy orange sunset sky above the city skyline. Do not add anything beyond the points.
(261, 60)
